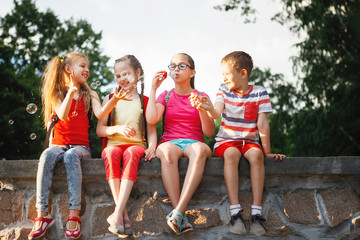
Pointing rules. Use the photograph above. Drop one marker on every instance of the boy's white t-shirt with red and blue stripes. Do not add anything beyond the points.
(239, 118)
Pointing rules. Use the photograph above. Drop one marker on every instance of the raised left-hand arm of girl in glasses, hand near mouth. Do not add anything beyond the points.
(155, 110)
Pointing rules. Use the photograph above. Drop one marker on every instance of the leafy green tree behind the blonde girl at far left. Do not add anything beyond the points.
(28, 40)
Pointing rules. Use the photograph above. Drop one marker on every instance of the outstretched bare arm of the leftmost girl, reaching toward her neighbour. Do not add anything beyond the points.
(101, 111)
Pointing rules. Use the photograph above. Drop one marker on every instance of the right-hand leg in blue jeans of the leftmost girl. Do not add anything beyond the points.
(72, 162)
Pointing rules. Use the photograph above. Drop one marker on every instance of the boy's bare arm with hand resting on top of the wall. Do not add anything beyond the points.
(264, 132)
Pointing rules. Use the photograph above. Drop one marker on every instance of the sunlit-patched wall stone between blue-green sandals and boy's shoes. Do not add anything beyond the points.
(204, 218)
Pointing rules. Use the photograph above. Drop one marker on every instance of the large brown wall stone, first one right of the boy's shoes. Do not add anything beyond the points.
(300, 207)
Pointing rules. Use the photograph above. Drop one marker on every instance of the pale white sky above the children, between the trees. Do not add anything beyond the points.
(156, 30)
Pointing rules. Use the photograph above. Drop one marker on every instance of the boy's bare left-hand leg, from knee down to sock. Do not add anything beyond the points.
(232, 157)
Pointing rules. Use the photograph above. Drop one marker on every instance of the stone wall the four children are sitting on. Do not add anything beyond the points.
(304, 198)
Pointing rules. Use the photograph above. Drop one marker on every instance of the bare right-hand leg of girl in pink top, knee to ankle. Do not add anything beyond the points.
(197, 154)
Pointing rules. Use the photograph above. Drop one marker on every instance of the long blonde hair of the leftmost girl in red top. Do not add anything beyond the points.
(55, 82)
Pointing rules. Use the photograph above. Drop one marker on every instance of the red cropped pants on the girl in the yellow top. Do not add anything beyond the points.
(130, 155)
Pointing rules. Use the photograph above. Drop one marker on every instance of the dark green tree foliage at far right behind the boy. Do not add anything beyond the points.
(326, 121)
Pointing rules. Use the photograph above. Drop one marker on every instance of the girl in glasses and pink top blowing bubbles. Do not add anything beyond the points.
(184, 127)
